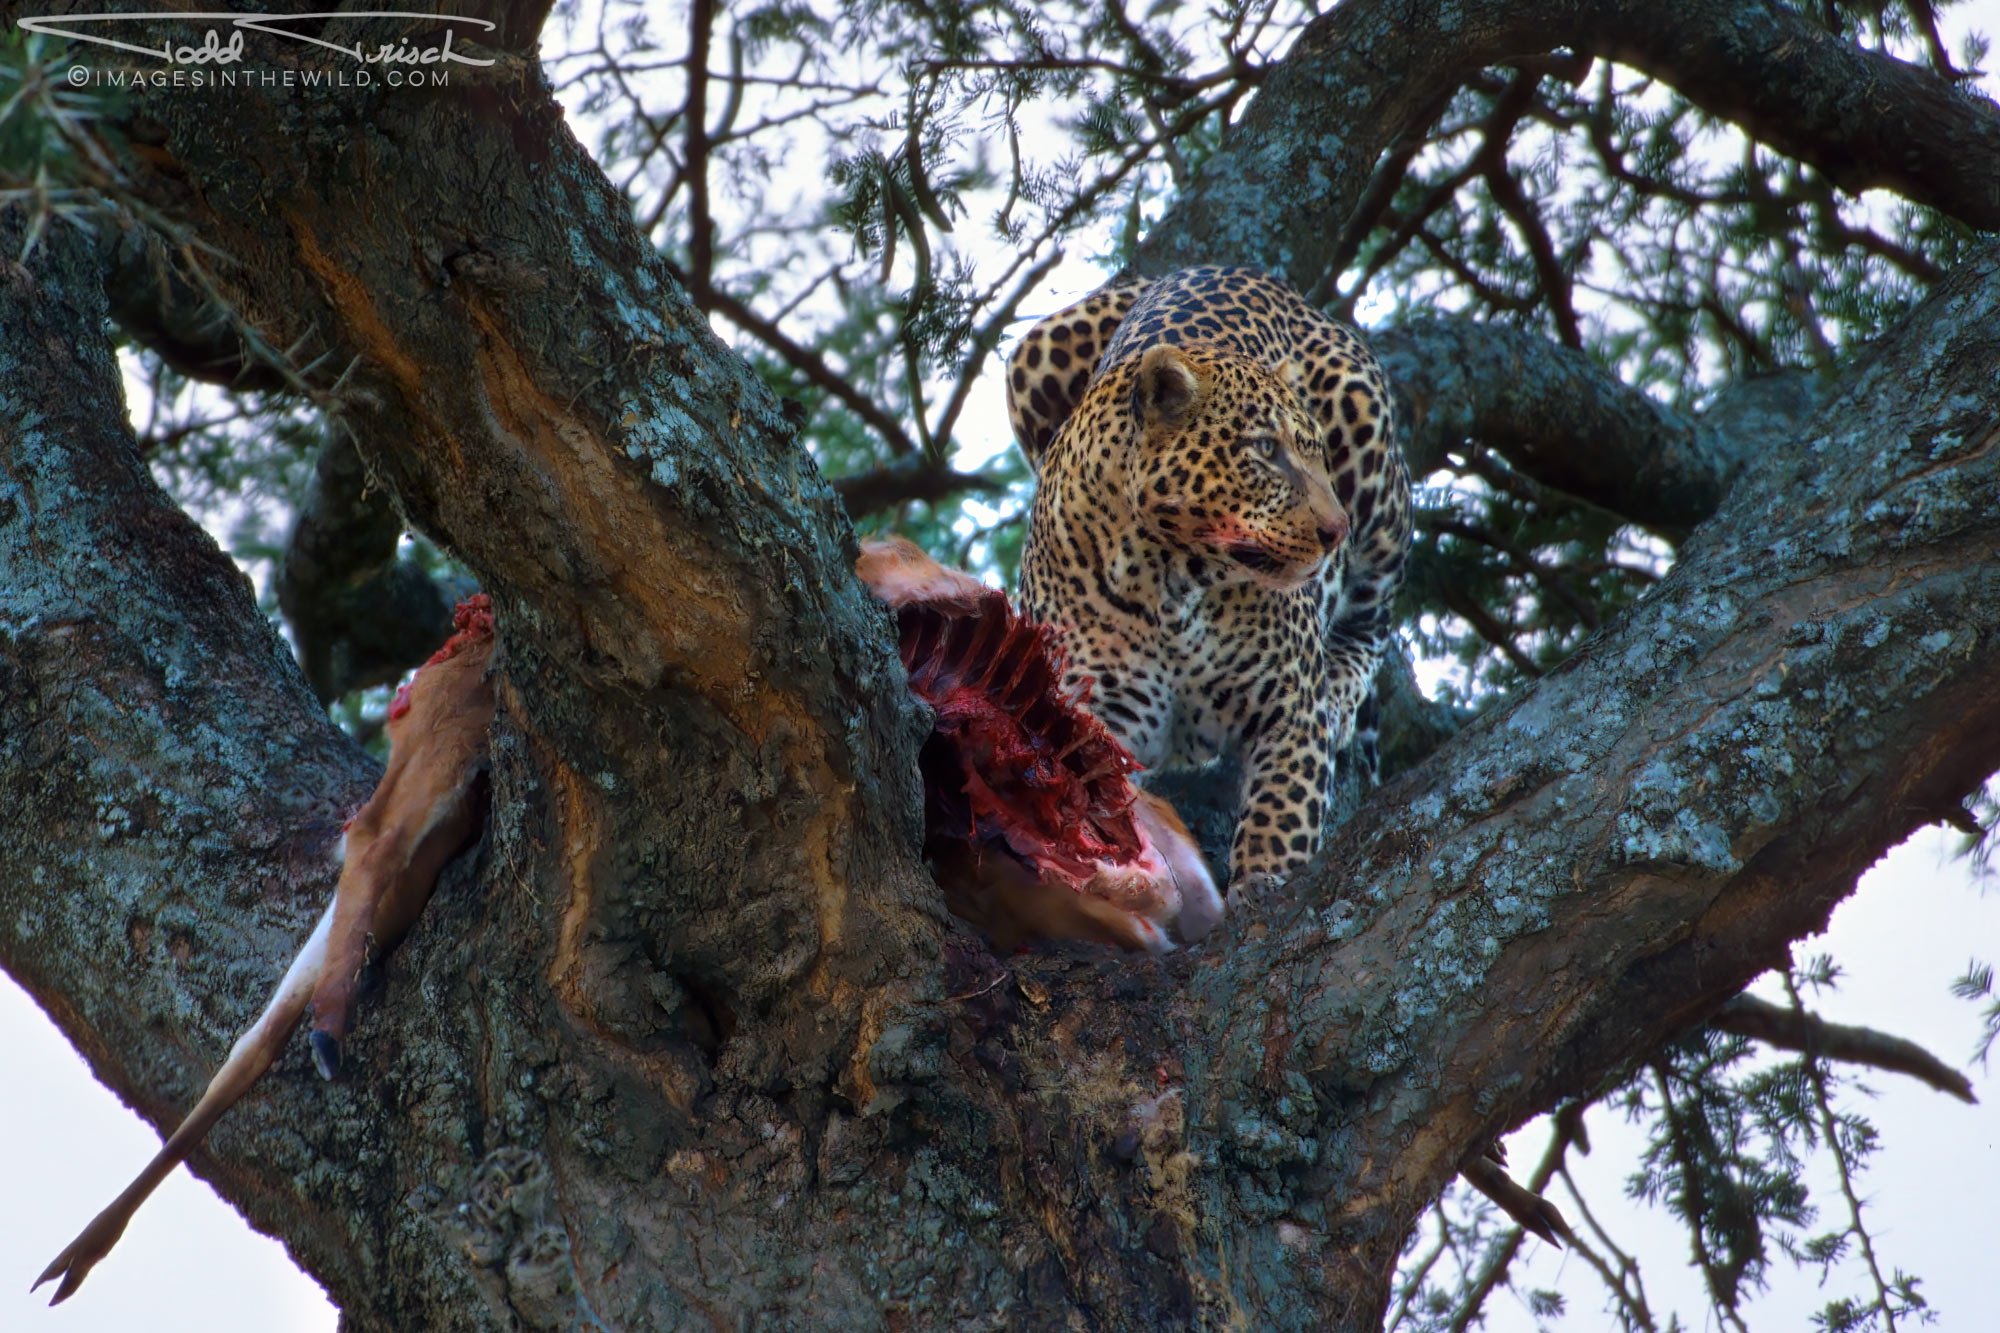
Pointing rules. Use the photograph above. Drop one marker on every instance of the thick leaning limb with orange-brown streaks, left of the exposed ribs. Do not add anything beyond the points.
(665, 539)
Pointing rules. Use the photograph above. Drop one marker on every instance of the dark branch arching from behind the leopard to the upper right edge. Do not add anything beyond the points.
(1311, 137)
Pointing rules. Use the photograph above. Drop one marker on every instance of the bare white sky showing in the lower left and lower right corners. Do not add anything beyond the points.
(189, 1262)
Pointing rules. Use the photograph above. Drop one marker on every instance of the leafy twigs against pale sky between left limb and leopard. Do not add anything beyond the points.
(941, 157)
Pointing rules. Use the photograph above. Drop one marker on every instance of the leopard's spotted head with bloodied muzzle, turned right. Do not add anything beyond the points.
(1227, 467)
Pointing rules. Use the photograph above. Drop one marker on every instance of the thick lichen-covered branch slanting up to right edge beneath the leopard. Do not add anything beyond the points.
(1815, 680)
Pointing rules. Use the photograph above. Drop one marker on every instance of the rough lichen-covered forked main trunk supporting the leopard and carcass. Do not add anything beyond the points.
(691, 1042)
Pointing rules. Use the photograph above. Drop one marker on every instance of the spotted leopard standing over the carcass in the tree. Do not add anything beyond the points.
(1219, 531)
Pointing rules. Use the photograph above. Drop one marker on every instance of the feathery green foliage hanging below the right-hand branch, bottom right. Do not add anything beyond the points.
(1739, 1144)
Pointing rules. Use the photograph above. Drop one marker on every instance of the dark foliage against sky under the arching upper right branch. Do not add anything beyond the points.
(1683, 253)
